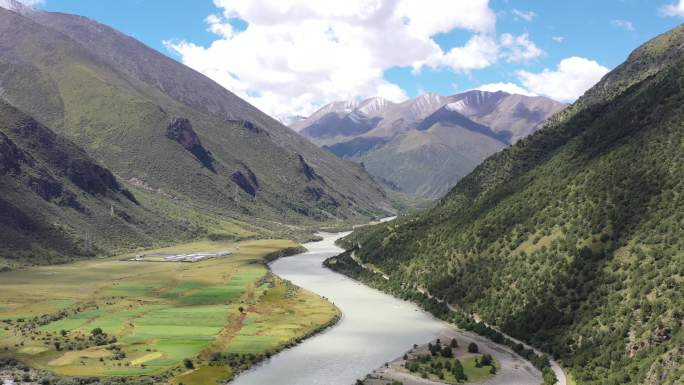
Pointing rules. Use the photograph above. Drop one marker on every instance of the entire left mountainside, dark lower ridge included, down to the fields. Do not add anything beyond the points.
(190, 158)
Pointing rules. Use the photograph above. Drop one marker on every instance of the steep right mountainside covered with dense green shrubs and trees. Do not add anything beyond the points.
(571, 239)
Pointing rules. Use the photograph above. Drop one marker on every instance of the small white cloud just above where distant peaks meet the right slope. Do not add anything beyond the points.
(569, 81)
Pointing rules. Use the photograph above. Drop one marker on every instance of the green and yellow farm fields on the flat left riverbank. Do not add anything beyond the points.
(190, 323)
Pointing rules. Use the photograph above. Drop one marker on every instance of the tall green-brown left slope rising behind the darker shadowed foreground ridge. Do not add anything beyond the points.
(162, 126)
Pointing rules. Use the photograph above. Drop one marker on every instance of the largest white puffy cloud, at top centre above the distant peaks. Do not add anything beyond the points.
(296, 55)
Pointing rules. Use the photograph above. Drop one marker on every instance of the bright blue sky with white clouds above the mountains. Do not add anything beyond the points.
(600, 32)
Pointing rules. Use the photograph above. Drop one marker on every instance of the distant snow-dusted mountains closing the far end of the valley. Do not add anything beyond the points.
(425, 145)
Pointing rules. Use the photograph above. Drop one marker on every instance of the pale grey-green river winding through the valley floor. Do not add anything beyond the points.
(375, 328)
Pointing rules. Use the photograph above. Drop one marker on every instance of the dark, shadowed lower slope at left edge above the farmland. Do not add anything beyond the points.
(56, 202)
